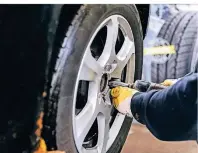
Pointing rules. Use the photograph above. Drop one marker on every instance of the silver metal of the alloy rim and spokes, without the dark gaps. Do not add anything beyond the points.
(92, 70)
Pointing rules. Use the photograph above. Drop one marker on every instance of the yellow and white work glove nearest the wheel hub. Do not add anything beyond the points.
(121, 97)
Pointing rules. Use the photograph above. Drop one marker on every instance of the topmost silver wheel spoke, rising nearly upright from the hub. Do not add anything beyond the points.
(108, 53)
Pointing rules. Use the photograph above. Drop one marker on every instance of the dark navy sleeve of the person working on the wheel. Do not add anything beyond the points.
(170, 114)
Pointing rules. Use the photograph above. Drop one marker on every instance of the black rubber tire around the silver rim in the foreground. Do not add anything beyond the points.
(68, 63)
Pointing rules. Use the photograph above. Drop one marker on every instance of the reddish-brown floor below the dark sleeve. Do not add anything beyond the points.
(140, 140)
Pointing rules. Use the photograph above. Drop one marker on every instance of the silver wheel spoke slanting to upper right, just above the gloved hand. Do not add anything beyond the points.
(123, 56)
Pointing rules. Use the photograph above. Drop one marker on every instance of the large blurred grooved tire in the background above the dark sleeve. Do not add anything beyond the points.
(179, 30)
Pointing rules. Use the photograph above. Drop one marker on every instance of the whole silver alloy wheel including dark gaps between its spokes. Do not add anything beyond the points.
(94, 126)
